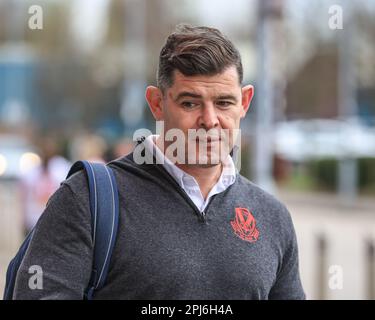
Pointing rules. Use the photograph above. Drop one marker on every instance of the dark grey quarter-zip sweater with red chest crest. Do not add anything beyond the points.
(243, 246)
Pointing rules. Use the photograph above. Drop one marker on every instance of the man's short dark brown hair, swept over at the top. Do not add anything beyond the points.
(196, 51)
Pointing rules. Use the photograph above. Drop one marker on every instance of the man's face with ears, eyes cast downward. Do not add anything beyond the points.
(213, 104)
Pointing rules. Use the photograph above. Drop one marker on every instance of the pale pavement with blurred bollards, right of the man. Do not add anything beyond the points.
(334, 239)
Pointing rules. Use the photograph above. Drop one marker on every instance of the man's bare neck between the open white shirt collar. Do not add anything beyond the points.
(205, 175)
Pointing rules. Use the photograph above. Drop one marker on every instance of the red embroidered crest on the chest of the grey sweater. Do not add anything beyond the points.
(244, 225)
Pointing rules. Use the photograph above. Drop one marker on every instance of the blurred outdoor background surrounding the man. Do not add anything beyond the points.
(72, 87)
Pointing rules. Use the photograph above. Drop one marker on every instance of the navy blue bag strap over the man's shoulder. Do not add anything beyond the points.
(104, 207)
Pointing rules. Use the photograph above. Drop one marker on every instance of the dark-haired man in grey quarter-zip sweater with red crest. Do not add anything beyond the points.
(191, 227)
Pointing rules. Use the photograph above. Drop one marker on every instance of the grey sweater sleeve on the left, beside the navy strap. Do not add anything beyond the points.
(58, 262)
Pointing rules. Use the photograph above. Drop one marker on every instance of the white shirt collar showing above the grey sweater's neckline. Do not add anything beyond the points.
(188, 182)
